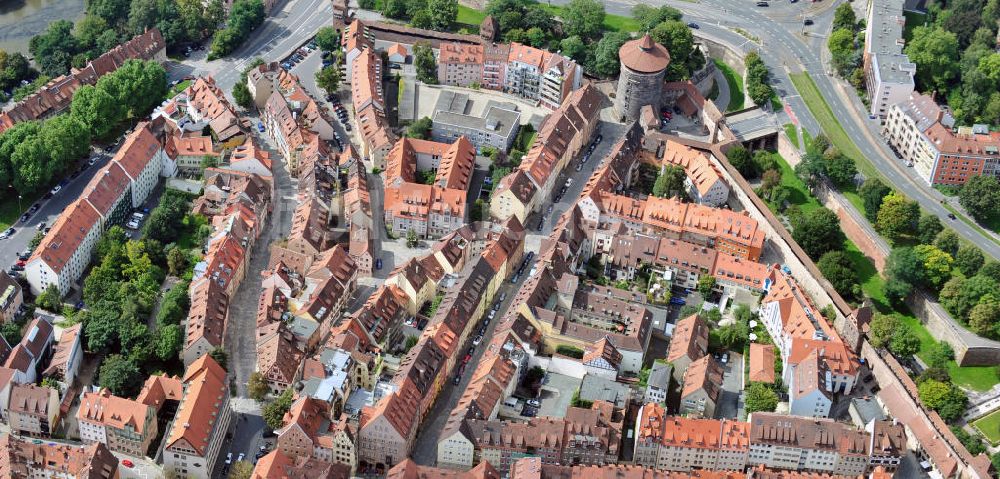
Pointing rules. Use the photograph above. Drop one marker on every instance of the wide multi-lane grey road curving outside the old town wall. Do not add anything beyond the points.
(791, 47)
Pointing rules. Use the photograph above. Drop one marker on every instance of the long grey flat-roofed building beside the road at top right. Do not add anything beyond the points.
(888, 71)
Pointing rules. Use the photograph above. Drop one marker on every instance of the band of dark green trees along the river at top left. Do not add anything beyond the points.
(110, 22)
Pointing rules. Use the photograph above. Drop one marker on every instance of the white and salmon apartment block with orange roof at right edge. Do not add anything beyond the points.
(926, 138)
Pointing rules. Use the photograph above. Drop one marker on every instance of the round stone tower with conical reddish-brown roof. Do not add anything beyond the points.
(640, 83)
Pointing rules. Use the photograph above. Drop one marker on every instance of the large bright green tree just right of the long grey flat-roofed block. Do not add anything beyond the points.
(934, 50)
